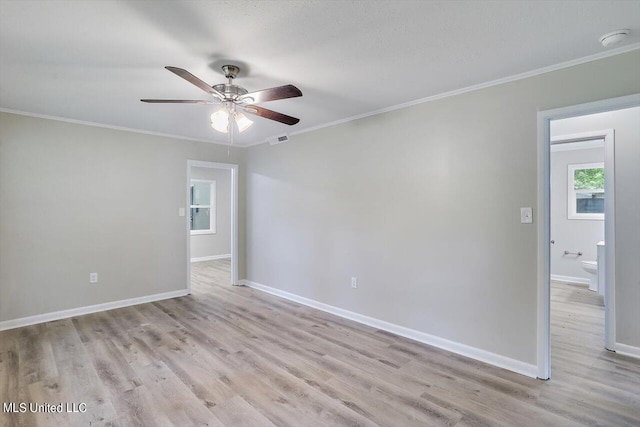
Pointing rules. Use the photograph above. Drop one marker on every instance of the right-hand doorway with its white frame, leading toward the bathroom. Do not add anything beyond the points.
(580, 231)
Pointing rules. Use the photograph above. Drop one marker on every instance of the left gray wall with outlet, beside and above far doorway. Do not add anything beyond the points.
(76, 199)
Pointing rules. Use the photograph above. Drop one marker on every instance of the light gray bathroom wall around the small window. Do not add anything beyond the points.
(573, 235)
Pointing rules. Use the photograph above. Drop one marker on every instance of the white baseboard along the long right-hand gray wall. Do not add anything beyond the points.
(452, 346)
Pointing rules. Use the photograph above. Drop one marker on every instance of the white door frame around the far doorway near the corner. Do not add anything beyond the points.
(234, 215)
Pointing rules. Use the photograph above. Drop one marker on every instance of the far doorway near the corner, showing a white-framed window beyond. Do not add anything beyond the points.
(212, 223)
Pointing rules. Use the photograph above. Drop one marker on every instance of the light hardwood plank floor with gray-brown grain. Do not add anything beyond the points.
(234, 356)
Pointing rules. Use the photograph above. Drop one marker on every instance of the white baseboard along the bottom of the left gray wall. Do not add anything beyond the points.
(64, 314)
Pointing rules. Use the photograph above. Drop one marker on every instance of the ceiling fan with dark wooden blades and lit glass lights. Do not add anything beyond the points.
(235, 100)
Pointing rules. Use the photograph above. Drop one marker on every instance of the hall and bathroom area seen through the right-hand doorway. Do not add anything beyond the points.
(594, 160)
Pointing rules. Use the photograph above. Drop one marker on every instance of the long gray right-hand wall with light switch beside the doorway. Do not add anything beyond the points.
(423, 206)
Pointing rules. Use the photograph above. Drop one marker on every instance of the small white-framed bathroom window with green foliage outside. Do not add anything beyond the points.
(586, 191)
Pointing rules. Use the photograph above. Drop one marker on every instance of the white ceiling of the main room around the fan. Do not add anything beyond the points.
(93, 60)
